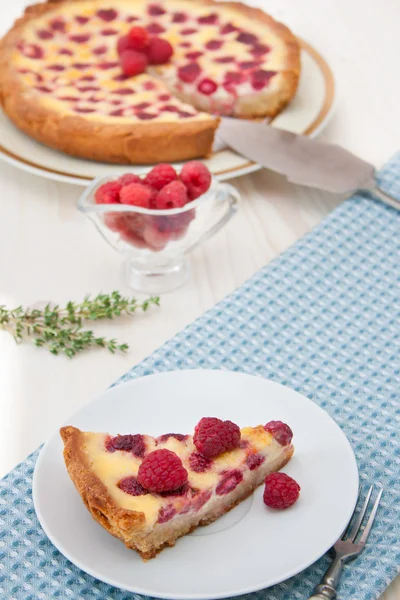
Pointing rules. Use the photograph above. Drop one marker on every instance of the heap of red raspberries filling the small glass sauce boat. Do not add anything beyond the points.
(161, 189)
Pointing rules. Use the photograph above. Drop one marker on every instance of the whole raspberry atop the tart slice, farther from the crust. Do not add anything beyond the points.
(213, 436)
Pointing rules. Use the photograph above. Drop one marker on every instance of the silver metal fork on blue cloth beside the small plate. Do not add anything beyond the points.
(348, 547)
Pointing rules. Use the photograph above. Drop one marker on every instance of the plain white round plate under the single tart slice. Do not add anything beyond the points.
(248, 549)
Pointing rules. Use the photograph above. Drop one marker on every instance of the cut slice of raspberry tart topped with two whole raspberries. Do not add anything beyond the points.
(150, 491)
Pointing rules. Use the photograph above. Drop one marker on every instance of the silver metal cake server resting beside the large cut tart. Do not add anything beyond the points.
(302, 160)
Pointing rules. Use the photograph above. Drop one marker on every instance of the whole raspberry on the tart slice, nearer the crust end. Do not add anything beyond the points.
(162, 471)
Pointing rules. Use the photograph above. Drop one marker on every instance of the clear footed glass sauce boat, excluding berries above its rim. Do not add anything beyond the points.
(156, 243)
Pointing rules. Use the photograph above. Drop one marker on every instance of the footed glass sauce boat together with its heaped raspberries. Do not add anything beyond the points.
(155, 220)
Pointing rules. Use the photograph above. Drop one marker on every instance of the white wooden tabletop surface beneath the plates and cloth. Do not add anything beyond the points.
(50, 252)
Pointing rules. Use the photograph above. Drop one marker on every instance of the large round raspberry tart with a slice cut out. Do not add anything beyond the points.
(69, 78)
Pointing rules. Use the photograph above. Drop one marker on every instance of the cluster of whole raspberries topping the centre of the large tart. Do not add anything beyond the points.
(138, 49)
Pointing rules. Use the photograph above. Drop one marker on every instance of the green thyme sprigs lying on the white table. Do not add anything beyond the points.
(61, 329)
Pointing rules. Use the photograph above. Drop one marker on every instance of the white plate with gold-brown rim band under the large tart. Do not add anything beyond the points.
(308, 113)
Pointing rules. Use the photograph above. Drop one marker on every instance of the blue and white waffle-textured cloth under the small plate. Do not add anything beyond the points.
(324, 318)
